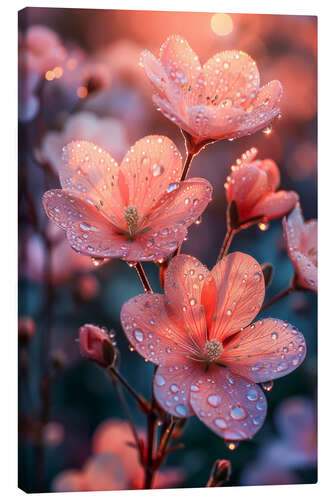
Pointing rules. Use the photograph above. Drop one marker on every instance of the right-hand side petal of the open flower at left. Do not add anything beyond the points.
(183, 204)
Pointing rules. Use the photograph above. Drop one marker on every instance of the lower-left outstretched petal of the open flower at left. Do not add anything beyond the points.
(88, 232)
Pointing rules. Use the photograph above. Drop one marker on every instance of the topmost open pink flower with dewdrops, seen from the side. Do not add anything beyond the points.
(219, 100)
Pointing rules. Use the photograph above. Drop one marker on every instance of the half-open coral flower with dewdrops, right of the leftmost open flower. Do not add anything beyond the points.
(253, 185)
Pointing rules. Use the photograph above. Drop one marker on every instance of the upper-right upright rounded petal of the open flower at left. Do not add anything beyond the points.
(150, 166)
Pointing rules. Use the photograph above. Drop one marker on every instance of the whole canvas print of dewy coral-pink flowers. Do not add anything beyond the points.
(167, 322)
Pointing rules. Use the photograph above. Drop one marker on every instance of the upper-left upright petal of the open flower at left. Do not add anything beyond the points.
(91, 172)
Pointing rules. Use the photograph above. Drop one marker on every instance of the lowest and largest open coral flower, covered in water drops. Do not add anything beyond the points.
(209, 357)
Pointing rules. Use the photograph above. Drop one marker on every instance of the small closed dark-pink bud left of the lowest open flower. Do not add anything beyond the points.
(96, 345)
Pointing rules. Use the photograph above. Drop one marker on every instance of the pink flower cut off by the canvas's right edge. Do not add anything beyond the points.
(302, 246)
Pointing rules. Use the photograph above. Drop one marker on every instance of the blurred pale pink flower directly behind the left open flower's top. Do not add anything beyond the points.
(108, 133)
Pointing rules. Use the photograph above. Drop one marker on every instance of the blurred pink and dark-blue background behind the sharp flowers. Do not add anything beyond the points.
(84, 82)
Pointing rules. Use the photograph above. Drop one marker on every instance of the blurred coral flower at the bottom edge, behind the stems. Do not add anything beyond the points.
(114, 465)
